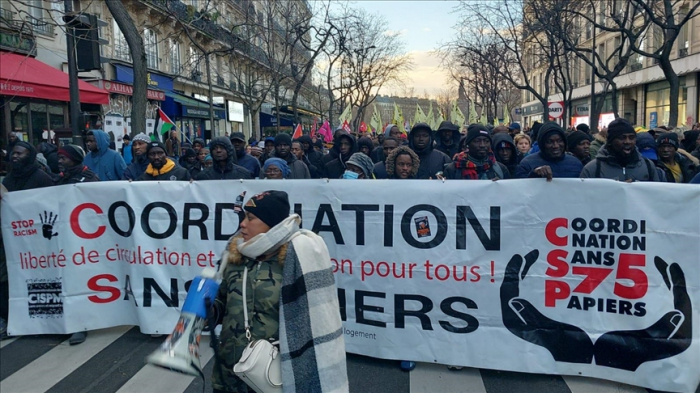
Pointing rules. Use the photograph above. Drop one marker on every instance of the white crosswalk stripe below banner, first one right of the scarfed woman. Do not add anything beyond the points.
(430, 378)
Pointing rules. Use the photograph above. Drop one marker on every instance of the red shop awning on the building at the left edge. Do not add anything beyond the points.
(24, 76)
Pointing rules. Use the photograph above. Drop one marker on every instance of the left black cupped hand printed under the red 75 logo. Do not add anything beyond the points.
(566, 343)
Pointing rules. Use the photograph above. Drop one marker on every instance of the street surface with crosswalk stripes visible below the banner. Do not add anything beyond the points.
(112, 360)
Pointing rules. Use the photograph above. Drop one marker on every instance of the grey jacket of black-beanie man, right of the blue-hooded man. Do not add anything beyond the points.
(606, 166)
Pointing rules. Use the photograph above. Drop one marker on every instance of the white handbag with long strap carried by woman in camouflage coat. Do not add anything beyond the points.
(260, 366)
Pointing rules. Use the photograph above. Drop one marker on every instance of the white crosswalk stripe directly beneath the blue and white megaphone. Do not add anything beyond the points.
(156, 380)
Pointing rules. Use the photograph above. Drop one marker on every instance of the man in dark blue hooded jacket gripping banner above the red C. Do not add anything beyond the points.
(551, 161)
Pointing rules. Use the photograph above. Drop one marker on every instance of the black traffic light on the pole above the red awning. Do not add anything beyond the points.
(87, 39)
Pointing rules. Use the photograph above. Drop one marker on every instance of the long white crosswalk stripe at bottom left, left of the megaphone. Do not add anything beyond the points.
(42, 373)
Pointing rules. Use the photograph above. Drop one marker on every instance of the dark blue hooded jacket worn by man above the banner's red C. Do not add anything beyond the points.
(566, 166)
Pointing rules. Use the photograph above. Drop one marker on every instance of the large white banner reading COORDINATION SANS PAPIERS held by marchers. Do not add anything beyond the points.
(595, 278)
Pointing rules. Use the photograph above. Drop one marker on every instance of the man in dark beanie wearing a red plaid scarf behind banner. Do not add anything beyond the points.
(479, 161)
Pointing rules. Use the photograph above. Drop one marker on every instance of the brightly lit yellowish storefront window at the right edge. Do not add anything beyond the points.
(658, 103)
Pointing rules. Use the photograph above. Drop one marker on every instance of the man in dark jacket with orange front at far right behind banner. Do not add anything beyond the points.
(677, 167)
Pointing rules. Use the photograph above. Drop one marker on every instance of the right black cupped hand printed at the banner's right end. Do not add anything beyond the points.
(669, 336)
